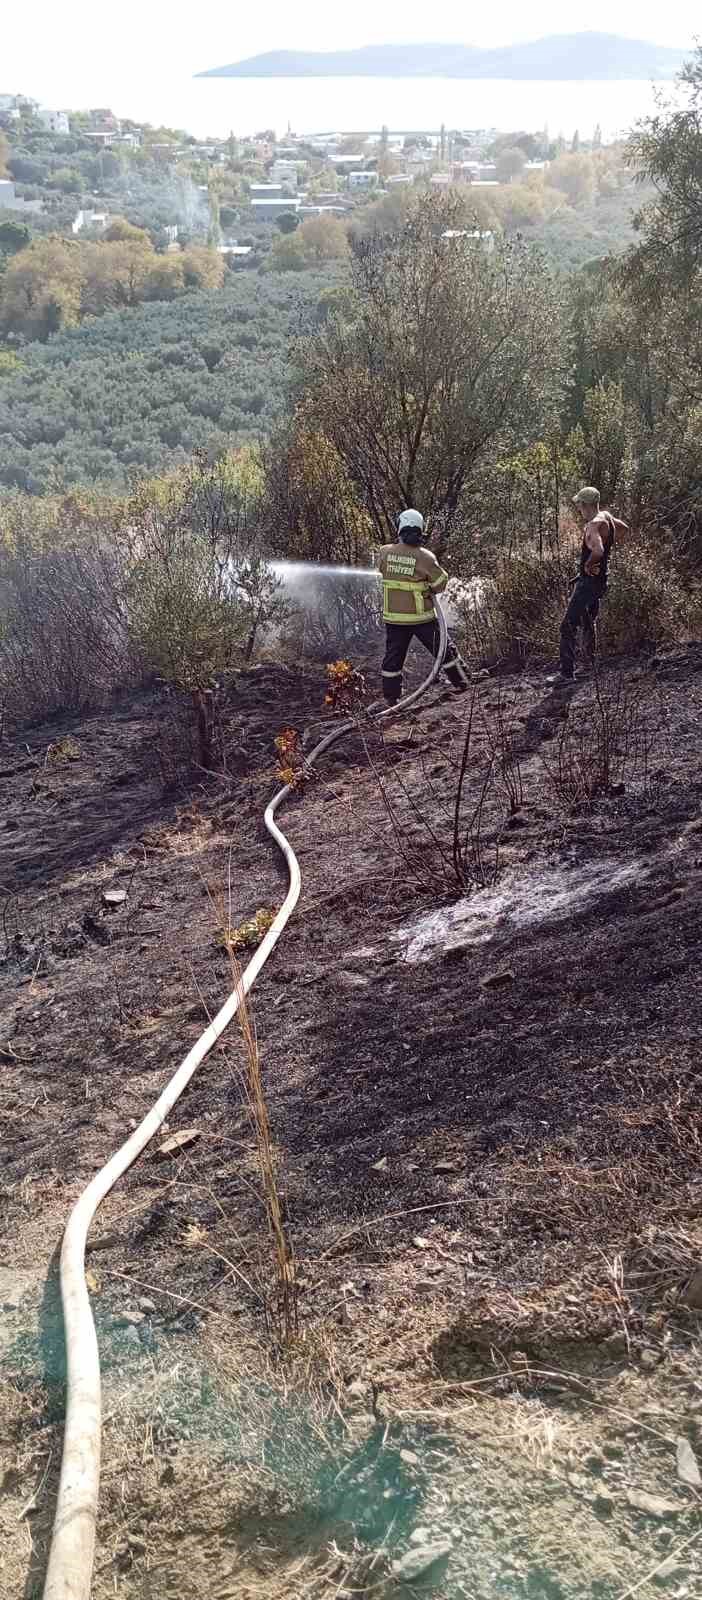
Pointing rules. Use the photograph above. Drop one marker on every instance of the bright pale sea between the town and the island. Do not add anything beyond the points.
(213, 108)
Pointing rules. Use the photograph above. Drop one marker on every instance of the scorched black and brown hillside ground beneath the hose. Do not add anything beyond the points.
(487, 1126)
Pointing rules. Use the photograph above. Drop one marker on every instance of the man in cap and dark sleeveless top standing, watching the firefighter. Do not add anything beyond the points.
(600, 534)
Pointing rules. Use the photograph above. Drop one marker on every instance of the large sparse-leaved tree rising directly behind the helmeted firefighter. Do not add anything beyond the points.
(447, 353)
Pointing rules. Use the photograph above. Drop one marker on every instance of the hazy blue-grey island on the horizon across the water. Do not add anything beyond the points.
(576, 57)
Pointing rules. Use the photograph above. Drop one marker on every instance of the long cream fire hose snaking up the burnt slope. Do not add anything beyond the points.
(70, 1570)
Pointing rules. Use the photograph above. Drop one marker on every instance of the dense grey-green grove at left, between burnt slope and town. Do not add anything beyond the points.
(143, 390)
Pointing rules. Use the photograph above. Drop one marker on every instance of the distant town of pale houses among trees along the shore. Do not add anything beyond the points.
(58, 158)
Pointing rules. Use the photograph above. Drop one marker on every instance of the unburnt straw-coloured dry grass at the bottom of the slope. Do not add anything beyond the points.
(221, 1460)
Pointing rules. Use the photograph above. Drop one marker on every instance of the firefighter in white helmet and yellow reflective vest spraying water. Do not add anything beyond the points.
(410, 580)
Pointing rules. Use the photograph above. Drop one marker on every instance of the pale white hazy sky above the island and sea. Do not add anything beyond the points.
(78, 52)
